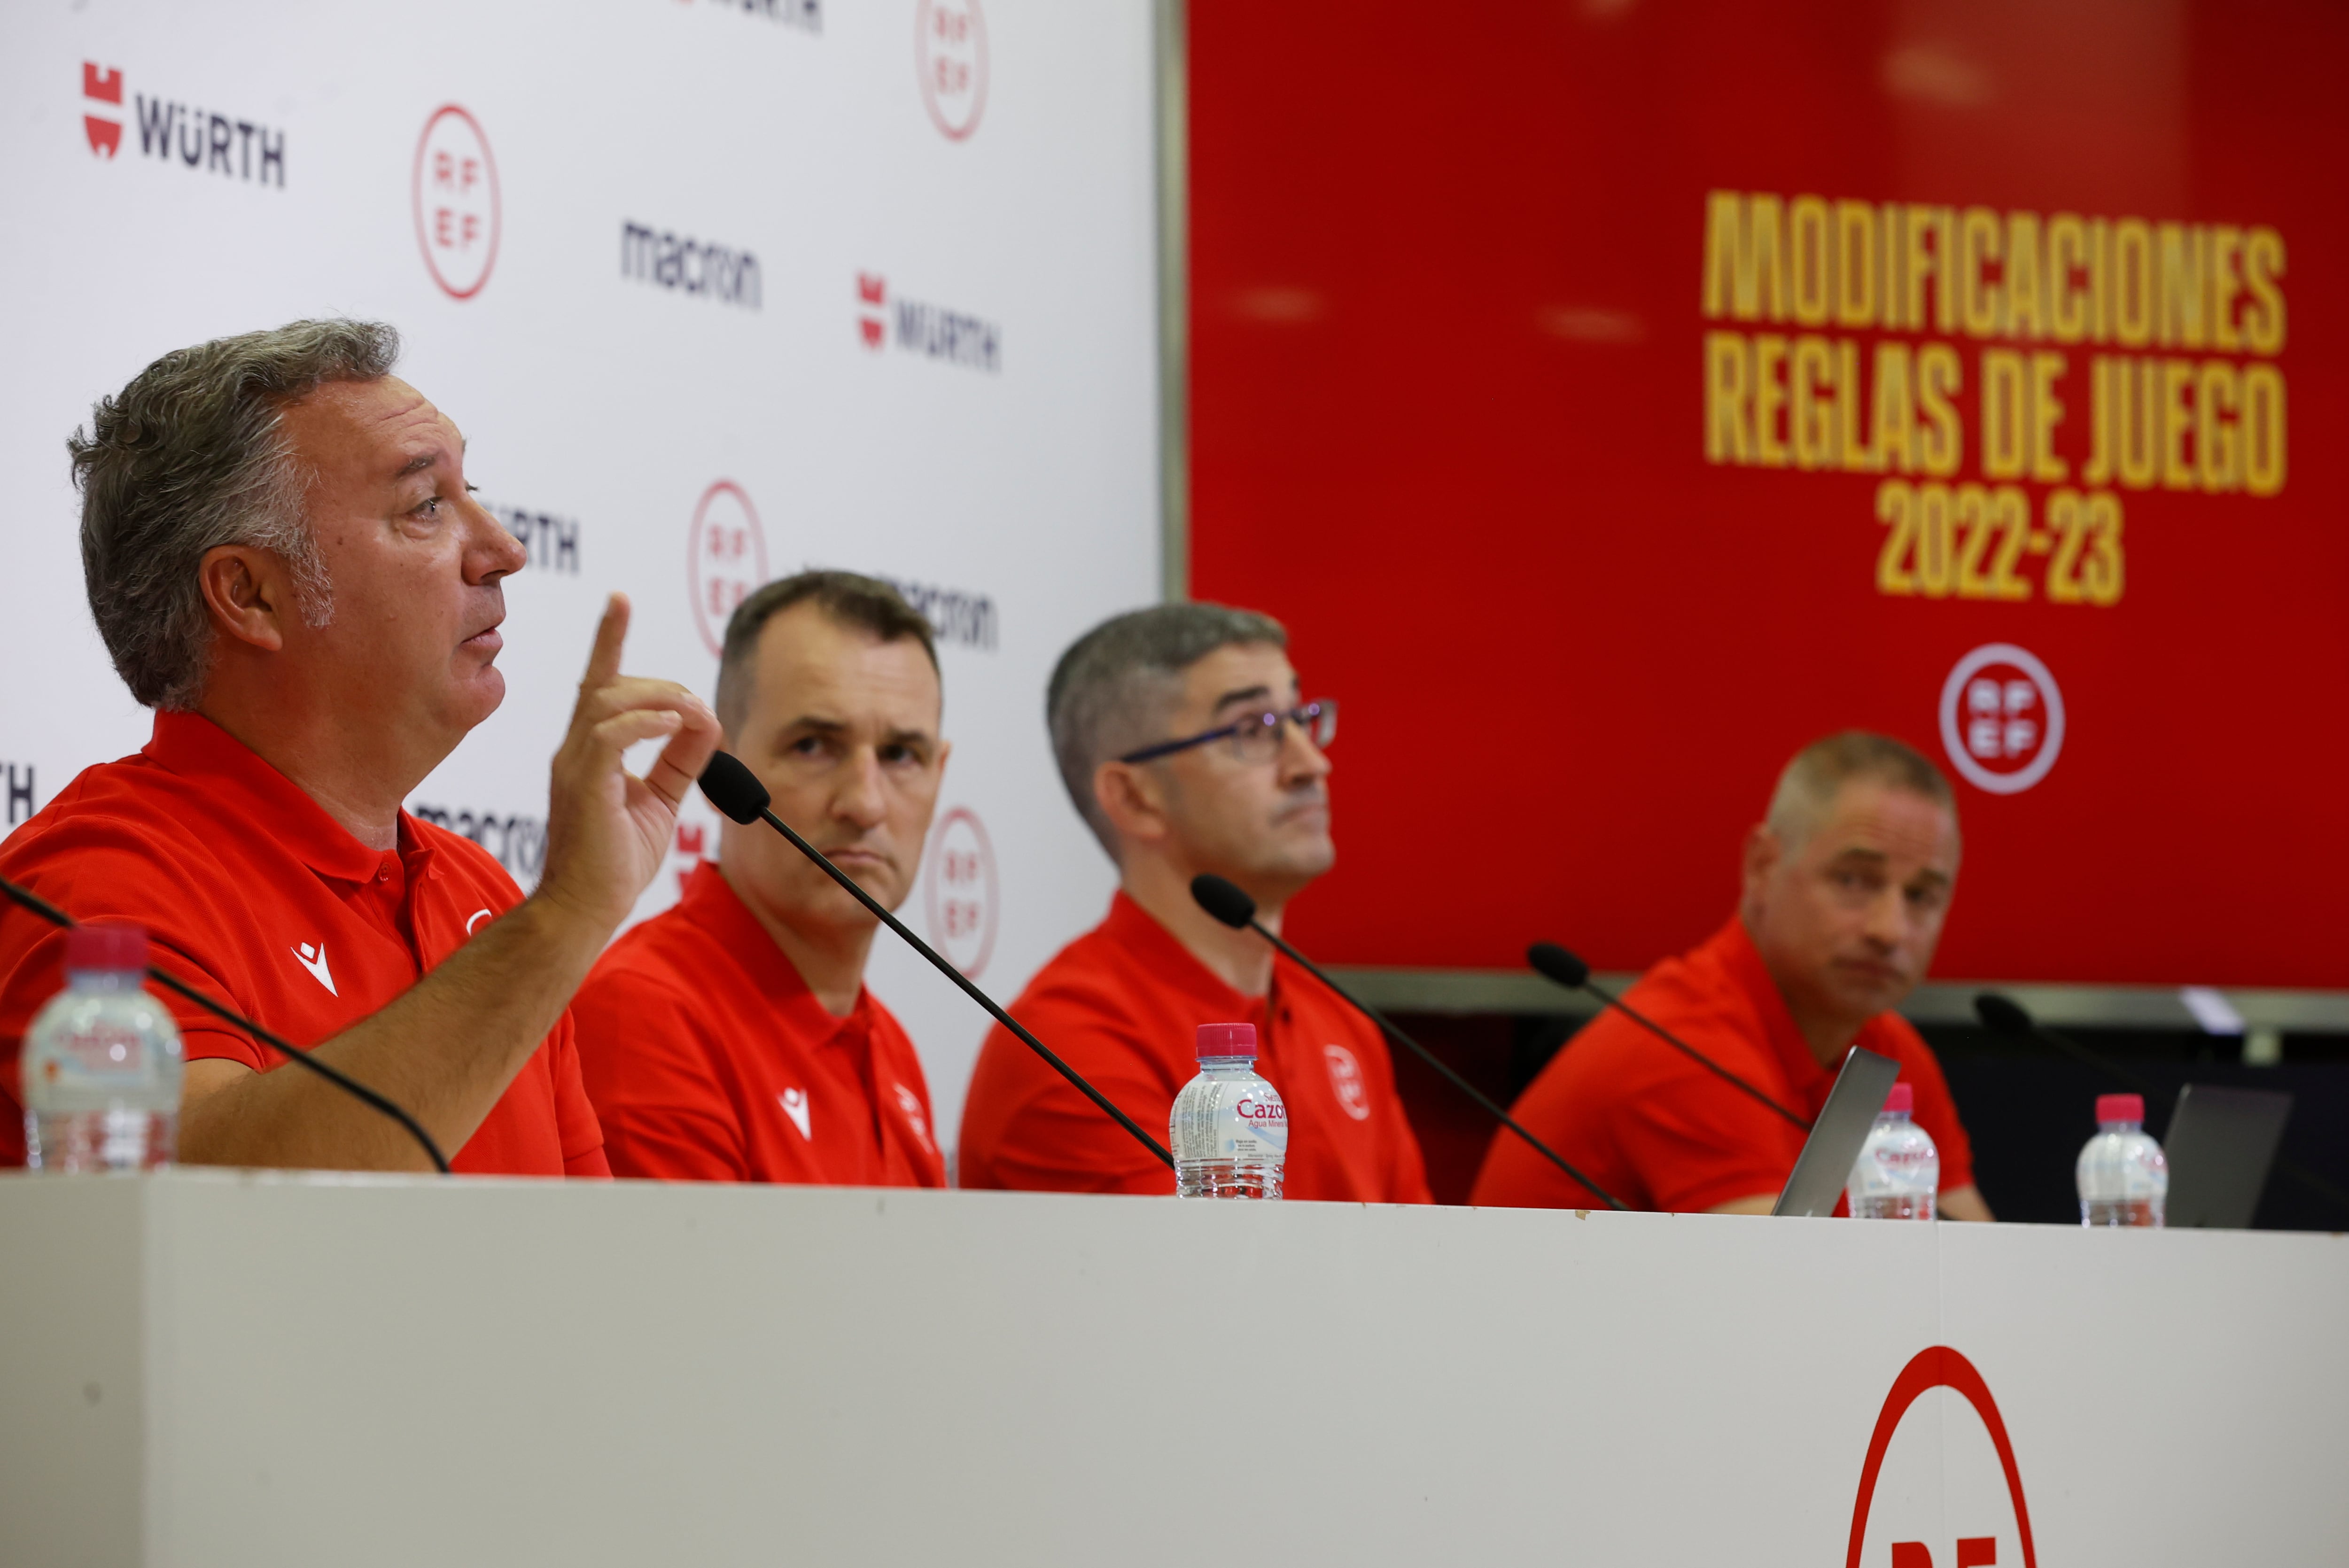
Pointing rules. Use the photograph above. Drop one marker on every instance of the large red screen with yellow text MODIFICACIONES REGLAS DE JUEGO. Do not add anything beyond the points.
(1451, 424)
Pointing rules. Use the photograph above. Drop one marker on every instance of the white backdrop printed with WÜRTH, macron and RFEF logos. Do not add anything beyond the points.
(708, 288)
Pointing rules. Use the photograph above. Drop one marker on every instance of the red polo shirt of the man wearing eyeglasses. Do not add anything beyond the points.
(1124, 1006)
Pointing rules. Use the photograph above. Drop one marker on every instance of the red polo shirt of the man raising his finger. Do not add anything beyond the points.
(253, 893)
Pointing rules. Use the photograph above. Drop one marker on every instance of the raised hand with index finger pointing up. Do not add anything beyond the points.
(610, 830)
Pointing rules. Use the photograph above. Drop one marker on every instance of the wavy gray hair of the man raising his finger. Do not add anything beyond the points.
(194, 457)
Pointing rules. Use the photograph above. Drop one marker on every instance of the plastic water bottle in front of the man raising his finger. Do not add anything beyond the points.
(102, 1062)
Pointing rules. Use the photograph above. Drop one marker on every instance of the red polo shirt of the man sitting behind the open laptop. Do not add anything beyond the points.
(1660, 1130)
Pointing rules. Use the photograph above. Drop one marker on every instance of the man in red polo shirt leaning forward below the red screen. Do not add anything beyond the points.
(1847, 884)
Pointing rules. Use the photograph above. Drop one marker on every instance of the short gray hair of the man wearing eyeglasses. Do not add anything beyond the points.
(1122, 682)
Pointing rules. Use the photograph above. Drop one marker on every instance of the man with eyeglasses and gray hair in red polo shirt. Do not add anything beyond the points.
(1187, 748)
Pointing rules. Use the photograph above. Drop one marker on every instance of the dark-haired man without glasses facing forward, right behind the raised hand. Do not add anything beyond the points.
(732, 1039)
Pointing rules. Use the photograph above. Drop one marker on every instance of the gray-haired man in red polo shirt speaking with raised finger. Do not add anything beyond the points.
(288, 565)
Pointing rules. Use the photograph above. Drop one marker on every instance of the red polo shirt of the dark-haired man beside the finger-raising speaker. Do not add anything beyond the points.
(711, 1060)
